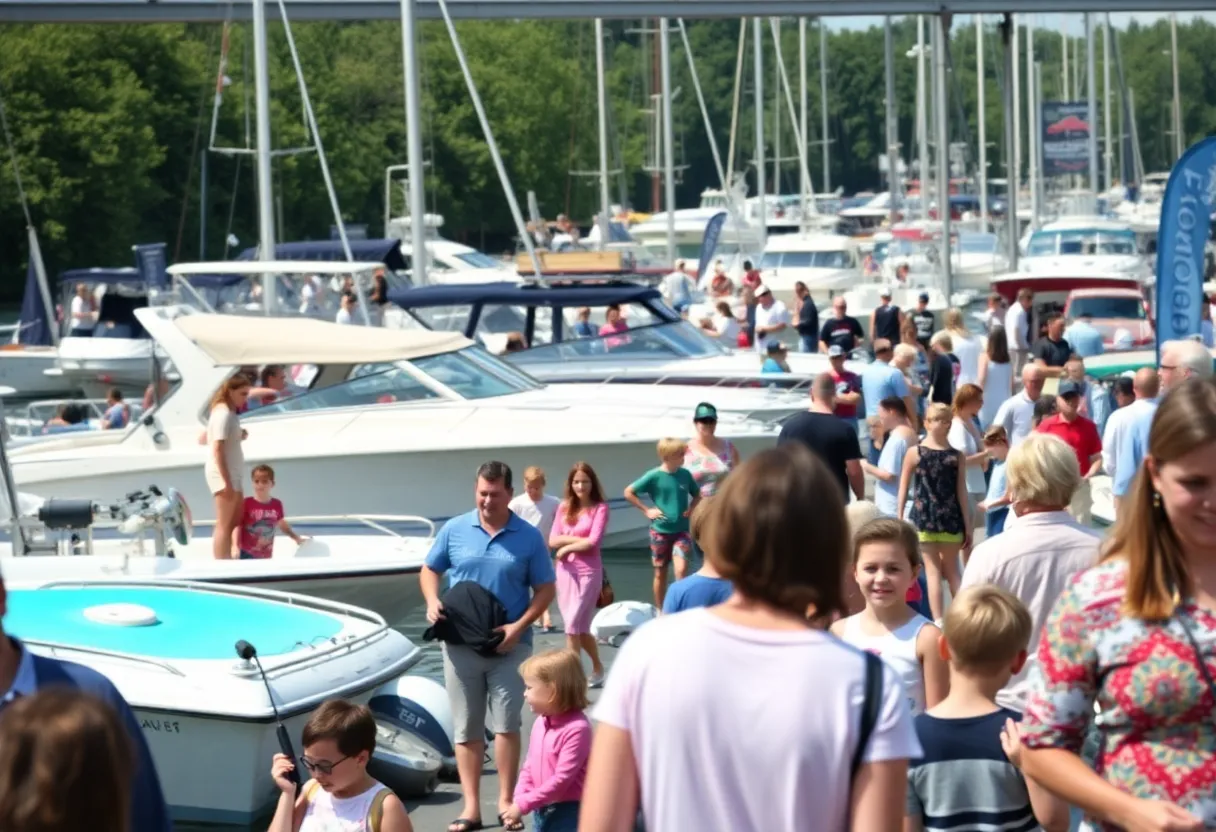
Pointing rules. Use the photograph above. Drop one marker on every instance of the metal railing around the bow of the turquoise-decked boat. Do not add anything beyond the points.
(380, 627)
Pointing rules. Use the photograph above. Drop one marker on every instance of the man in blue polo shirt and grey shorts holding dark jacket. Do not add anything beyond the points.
(506, 555)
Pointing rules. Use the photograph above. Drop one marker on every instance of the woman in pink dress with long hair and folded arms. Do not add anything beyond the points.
(578, 531)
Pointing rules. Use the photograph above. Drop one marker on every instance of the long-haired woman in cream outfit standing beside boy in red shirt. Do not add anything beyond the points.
(226, 462)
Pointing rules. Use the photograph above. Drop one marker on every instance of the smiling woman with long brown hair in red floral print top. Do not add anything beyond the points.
(1138, 637)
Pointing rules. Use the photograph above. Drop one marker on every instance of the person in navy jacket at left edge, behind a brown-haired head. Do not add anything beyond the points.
(24, 673)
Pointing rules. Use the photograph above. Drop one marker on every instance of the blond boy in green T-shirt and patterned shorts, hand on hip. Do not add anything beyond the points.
(674, 493)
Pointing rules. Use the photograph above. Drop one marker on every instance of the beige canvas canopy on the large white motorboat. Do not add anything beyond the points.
(239, 340)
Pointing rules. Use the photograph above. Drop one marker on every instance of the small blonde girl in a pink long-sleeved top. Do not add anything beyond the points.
(551, 779)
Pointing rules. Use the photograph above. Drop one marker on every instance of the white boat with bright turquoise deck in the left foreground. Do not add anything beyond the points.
(209, 716)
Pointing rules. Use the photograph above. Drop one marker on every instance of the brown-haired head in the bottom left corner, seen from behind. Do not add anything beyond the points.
(66, 764)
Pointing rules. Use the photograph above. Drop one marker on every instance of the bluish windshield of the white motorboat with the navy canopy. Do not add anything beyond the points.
(661, 341)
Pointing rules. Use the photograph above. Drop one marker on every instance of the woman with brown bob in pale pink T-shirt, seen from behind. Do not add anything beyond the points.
(660, 743)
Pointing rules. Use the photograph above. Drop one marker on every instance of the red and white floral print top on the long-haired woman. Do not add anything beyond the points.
(1158, 715)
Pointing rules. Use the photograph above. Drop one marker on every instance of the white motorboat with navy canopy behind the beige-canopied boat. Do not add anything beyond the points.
(658, 348)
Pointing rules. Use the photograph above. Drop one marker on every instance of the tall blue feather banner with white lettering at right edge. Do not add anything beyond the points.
(1186, 209)
